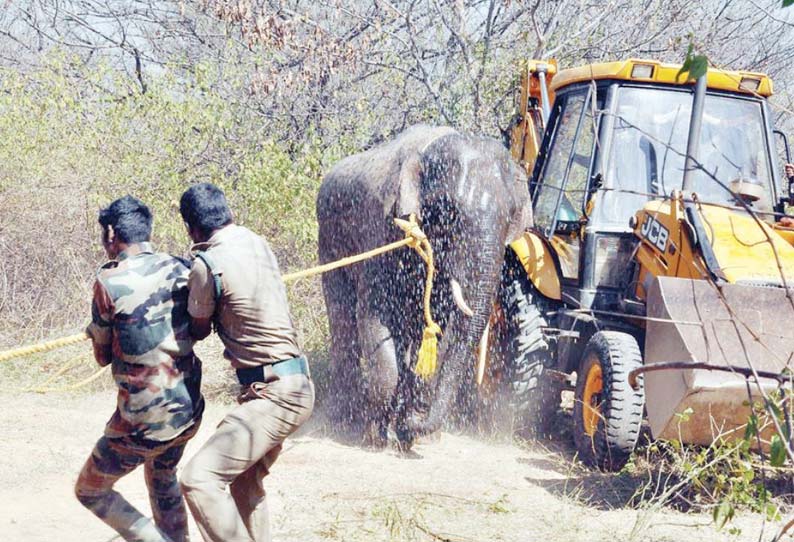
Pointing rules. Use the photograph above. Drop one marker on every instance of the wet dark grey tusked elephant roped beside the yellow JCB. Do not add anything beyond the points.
(470, 198)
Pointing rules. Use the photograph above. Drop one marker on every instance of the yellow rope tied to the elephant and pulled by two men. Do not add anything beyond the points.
(415, 238)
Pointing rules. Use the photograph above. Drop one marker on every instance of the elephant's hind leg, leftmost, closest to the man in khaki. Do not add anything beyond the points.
(346, 399)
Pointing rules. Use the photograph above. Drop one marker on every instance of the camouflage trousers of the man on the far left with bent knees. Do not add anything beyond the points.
(113, 458)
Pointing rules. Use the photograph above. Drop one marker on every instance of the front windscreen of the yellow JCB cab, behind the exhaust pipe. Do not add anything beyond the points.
(649, 143)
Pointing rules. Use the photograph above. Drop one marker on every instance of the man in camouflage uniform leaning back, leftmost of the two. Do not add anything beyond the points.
(140, 326)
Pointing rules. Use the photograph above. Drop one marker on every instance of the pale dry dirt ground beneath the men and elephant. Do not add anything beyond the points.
(454, 488)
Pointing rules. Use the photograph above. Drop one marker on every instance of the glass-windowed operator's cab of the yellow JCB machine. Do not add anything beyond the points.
(613, 145)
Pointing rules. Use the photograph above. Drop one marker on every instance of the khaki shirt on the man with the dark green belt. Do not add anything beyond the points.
(252, 314)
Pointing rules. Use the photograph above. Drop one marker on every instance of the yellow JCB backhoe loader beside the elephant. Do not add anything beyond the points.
(657, 271)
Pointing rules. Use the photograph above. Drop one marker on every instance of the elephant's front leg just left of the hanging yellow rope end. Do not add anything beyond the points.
(379, 349)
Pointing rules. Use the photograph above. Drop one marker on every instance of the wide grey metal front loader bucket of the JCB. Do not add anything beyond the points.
(693, 321)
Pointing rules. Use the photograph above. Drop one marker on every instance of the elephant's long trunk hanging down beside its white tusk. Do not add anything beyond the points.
(462, 335)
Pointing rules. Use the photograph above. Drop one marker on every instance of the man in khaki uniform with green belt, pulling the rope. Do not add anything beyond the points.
(236, 285)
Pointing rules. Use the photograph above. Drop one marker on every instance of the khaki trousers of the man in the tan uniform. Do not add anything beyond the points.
(238, 456)
